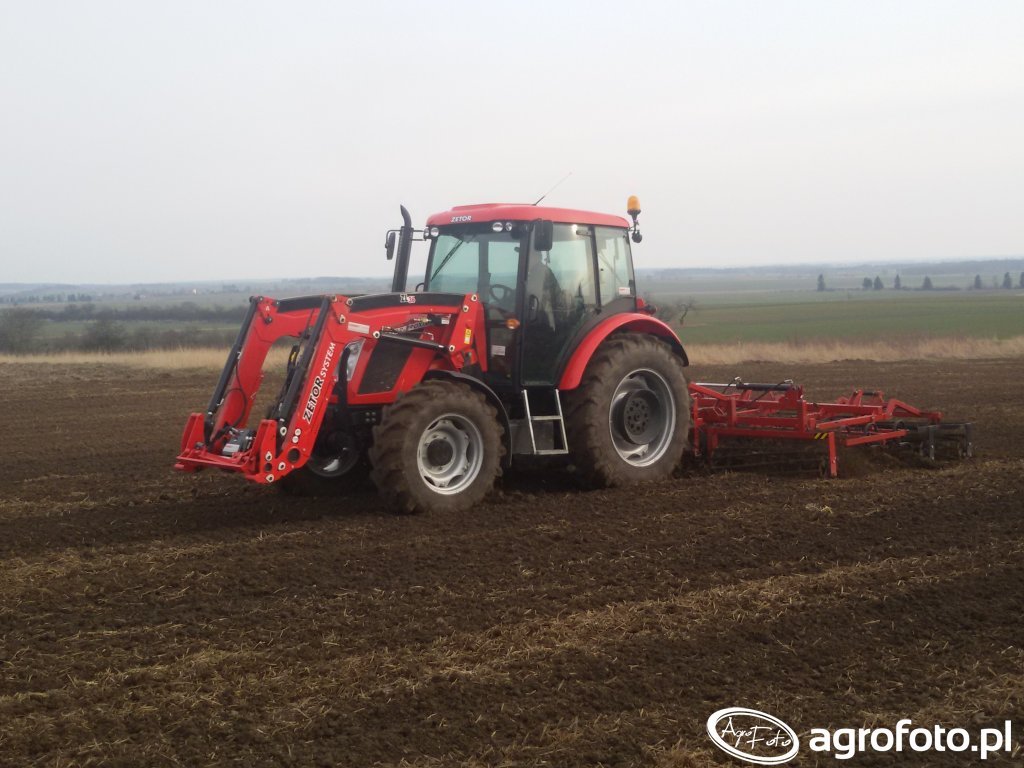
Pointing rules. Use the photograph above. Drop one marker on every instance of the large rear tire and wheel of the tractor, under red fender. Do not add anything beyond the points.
(629, 420)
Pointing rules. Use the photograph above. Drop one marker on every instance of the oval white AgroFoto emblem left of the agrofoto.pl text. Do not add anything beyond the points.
(753, 736)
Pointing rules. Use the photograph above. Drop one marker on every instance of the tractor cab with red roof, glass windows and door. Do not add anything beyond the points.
(545, 276)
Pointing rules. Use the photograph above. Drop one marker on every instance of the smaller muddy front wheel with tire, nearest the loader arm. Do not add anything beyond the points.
(438, 448)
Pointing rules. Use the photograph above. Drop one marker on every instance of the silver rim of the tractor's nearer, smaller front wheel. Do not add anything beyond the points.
(450, 454)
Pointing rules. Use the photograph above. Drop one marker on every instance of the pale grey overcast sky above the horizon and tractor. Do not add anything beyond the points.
(207, 141)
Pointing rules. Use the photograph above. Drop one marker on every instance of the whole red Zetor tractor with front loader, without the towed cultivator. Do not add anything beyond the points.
(526, 338)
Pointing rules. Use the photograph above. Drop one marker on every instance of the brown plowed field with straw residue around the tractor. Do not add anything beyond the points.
(149, 618)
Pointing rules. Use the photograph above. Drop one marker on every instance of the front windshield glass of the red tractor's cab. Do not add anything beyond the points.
(473, 260)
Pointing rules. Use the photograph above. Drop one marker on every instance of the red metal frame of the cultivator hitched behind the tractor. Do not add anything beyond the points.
(732, 411)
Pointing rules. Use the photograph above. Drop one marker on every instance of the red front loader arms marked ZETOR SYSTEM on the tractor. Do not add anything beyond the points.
(327, 330)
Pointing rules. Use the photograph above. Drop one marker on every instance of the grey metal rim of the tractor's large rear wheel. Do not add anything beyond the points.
(643, 417)
